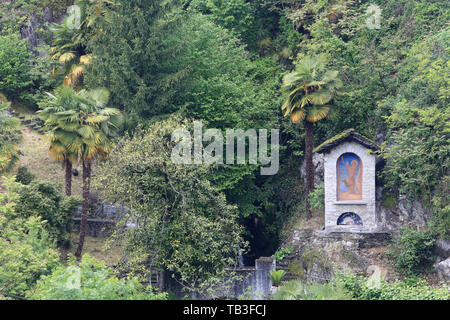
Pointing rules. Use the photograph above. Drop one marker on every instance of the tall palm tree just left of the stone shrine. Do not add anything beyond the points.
(310, 90)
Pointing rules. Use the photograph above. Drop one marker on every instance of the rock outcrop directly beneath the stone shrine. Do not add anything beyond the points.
(317, 255)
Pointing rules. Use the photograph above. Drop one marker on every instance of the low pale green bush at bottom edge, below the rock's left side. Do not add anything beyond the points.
(297, 290)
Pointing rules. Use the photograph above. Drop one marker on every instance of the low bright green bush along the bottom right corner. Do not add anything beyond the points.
(407, 289)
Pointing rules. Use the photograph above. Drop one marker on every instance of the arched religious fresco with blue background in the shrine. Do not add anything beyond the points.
(349, 177)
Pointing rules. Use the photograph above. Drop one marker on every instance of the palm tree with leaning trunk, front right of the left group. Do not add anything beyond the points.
(85, 128)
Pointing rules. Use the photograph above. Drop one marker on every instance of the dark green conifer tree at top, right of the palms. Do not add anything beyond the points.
(131, 56)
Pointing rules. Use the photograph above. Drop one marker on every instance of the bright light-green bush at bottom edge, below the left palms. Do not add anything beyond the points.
(90, 280)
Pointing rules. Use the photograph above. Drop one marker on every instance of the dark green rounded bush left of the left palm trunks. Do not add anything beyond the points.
(44, 199)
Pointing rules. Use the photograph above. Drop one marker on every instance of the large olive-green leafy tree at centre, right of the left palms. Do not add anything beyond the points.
(183, 224)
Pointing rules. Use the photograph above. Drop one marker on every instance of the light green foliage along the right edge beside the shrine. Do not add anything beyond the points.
(418, 150)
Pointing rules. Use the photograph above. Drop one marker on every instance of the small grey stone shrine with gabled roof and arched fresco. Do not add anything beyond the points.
(349, 182)
